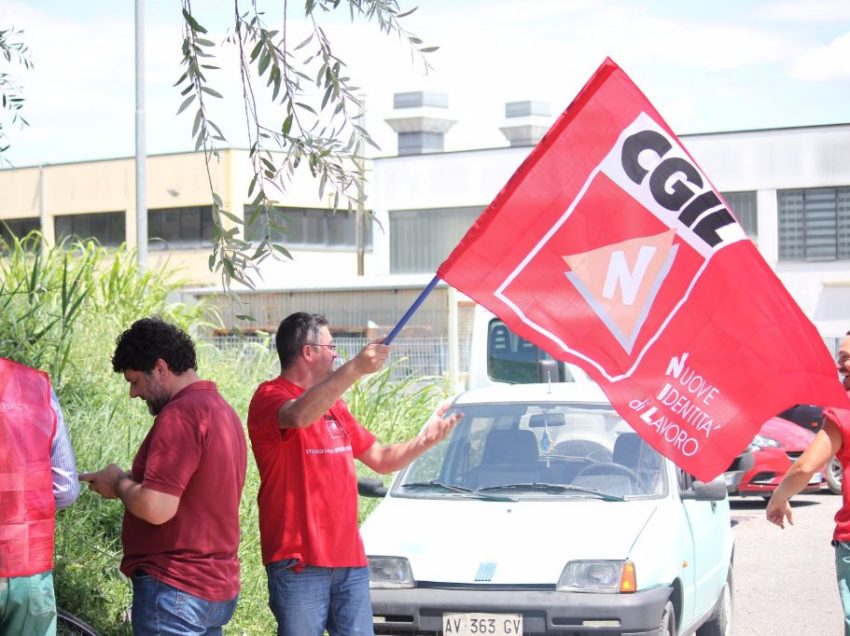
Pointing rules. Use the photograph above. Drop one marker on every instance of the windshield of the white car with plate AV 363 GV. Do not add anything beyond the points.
(538, 450)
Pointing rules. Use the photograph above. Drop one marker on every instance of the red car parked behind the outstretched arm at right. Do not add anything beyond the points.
(776, 446)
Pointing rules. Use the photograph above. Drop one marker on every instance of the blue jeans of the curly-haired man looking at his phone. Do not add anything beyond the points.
(160, 609)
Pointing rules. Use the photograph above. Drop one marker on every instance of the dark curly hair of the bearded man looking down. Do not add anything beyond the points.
(150, 339)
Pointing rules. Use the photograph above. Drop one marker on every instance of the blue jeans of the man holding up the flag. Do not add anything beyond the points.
(316, 599)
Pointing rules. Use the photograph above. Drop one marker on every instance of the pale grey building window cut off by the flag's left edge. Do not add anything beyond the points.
(422, 239)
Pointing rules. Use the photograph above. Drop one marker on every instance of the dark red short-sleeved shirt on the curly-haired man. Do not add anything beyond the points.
(195, 450)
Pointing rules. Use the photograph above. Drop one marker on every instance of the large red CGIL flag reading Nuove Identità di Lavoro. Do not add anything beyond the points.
(610, 248)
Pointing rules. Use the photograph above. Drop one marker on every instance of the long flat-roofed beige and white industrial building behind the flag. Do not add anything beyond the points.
(790, 188)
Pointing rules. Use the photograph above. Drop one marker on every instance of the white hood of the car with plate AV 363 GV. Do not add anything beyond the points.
(520, 542)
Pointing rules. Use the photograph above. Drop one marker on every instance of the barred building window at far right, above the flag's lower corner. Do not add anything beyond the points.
(814, 224)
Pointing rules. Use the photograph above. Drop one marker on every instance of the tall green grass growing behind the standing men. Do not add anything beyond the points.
(60, 310)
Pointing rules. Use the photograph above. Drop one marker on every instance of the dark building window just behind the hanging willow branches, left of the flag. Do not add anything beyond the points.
(310, 227)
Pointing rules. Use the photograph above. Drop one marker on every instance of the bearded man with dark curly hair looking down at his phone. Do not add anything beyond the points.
(181, 497)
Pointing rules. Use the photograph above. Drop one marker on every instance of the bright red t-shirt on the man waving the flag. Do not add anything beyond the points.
(308, 485)
